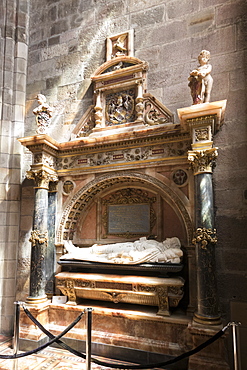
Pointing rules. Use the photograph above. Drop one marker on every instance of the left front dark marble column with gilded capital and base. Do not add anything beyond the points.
(39, 237)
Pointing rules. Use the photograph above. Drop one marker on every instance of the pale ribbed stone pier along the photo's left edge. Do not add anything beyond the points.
(13, 63)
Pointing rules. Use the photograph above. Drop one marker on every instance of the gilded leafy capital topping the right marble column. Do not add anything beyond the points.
(202, 160)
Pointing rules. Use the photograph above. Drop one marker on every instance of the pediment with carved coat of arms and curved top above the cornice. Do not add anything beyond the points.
(121, 102)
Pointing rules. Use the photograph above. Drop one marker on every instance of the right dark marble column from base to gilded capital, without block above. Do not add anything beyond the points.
(205, 237)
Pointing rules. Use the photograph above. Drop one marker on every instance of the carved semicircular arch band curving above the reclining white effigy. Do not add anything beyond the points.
(83, 198)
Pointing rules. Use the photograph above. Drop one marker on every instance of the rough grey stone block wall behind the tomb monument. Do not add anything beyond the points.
(67, 43)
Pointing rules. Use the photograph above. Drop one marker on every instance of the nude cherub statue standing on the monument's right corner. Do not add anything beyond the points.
(200, 79)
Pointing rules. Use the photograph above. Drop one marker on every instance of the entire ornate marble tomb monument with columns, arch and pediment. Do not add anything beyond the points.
(129, 171)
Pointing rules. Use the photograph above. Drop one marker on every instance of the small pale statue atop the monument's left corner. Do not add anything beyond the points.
(43, 114)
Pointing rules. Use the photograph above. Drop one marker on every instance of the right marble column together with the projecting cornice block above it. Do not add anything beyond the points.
(203, 121)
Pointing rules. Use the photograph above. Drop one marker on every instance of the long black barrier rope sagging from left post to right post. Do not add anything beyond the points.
(129, 367)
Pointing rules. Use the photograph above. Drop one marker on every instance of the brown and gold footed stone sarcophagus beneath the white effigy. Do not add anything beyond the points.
(142, 290)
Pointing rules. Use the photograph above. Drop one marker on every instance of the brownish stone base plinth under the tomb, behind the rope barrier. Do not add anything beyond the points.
(129, 333)
